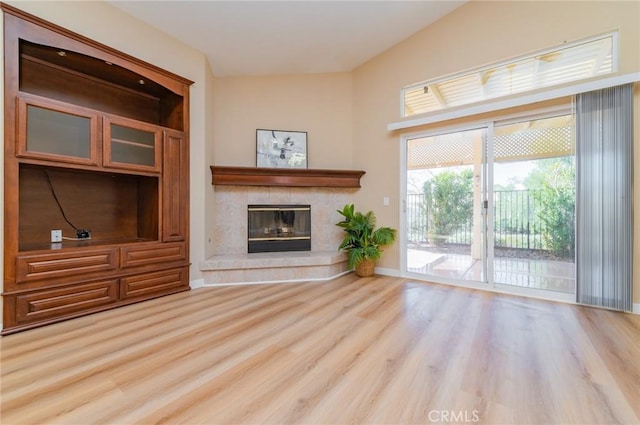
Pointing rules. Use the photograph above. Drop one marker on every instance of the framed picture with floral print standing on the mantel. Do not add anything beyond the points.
(281, 149)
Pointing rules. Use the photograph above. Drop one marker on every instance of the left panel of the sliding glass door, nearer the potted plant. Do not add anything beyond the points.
(445, 223)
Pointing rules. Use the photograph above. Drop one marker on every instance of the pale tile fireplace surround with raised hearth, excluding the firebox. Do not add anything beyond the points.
(230, 263)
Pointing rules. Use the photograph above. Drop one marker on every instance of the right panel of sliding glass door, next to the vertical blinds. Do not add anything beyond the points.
(534, 195)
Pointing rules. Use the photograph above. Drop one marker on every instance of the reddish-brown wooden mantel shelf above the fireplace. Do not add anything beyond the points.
(292, 177)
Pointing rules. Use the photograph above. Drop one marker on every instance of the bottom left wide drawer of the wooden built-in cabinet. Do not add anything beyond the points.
(54, 303)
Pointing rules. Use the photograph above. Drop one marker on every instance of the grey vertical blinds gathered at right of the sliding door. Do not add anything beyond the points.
(604, 150)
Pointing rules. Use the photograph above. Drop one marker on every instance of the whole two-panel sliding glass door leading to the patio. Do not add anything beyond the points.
(493, 205)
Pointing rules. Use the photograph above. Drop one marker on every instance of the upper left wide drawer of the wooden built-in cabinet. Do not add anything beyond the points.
(61, 264)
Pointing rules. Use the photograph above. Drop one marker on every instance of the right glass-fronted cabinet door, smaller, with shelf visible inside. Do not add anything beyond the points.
(132, 144)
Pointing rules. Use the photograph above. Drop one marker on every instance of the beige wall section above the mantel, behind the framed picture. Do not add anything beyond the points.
(319, 104)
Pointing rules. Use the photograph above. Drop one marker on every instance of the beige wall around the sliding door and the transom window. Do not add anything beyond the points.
(477, 34)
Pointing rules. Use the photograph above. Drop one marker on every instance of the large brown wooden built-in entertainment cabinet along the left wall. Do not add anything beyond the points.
(96, 141)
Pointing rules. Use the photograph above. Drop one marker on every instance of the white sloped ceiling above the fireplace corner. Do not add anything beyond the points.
(288, 37)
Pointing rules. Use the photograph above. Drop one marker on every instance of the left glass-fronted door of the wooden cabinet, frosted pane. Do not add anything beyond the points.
(56, 132)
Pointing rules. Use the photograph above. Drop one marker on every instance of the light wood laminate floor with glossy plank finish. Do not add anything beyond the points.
(376, 350)
